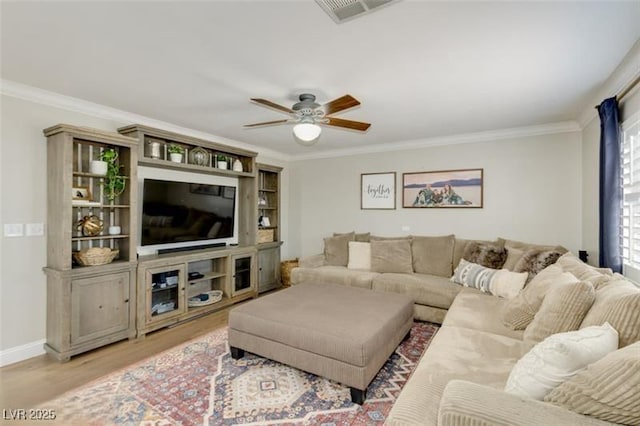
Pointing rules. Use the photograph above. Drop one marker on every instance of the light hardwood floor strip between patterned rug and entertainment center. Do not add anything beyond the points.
(31, 382)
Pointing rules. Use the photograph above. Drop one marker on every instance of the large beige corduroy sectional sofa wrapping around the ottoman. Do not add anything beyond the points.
(461, 378)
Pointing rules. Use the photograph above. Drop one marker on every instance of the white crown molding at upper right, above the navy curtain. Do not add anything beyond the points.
(624, 74)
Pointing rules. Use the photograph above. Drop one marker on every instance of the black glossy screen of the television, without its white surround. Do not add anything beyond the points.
(178, 212)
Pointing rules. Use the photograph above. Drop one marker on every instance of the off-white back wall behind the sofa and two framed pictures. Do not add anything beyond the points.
(532, 192)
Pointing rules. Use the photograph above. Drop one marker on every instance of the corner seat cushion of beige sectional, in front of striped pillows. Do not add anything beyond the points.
(479, 311)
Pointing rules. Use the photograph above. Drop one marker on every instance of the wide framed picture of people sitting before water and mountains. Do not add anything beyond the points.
(444, 188)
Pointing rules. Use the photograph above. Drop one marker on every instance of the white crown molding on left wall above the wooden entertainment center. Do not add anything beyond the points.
(45, 97)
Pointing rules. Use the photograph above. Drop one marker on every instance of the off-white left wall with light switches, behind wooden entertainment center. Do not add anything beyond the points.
(23, 200)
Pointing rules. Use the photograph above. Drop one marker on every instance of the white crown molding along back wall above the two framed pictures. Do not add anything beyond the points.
(486, 136)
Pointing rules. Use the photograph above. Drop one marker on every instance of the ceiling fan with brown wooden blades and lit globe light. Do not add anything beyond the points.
(308, 115)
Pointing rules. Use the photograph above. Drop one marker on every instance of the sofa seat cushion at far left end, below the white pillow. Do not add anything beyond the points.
(333, 275)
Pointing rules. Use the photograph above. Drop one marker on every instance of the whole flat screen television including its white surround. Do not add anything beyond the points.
(184, 210)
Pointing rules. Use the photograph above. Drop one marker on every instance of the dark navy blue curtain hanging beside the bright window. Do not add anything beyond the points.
(610, 186)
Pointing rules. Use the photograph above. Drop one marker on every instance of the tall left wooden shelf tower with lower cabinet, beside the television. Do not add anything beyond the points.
(88, 306)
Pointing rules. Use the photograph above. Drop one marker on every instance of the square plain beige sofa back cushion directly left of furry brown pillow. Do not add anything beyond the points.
(433, 255)
